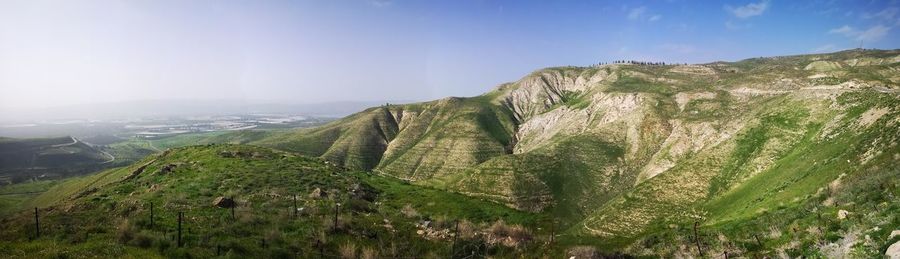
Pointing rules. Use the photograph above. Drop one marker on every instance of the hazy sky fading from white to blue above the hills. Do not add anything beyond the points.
(72, 52)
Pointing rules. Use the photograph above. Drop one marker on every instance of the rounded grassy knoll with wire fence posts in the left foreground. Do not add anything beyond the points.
(113, 206)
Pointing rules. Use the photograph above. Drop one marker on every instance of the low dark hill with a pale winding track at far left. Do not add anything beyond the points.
(22, 159)
